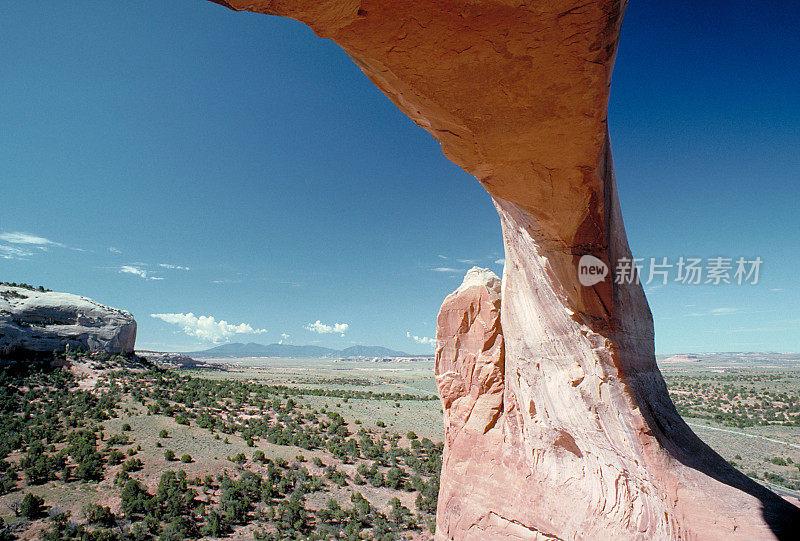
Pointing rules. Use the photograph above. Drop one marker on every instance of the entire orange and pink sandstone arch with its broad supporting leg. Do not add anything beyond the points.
(558, 421)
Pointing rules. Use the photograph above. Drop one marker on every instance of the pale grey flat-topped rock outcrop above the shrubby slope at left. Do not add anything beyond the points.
(45, 321)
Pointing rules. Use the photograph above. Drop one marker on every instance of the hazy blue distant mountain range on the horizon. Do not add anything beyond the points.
(252, 349)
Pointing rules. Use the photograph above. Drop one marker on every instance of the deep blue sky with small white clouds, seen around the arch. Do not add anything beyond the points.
(177, 157)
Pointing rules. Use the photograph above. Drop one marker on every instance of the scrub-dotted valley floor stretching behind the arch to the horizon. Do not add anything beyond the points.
(306, 448)
